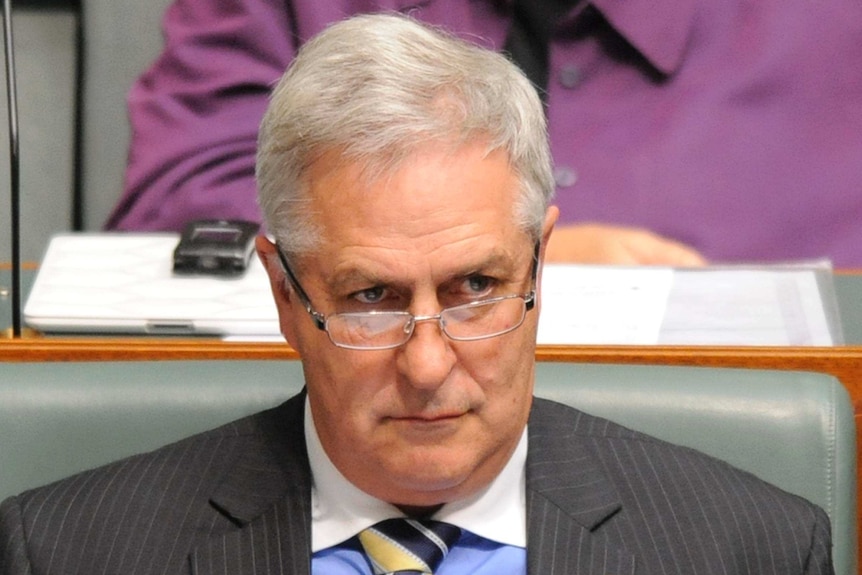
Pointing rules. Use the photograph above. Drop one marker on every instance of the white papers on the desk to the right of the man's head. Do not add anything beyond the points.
(781, 305)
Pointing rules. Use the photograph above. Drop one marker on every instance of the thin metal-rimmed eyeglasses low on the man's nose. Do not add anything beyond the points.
(378, 330)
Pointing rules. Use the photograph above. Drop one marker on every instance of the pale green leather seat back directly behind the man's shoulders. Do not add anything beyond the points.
(794, 429)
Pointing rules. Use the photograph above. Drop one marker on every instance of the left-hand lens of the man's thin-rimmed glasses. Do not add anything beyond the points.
(369, 330)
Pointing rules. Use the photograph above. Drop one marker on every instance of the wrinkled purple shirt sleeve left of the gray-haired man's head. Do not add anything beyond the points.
(195, 112)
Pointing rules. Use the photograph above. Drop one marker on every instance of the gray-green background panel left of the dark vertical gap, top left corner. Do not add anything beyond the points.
(45, 34)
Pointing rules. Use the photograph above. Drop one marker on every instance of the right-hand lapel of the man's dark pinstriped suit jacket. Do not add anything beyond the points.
(569, 498)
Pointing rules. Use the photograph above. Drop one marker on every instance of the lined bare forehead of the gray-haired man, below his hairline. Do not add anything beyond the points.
(427, 192)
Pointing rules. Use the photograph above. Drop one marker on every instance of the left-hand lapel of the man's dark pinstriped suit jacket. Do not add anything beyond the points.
(267, 494)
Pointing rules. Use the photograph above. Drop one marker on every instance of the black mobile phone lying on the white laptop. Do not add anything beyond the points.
(215, 247)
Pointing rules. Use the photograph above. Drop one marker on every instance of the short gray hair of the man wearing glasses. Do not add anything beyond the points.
(374, 89)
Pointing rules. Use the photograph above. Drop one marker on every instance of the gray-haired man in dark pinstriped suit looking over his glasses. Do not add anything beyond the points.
(406, 182)
